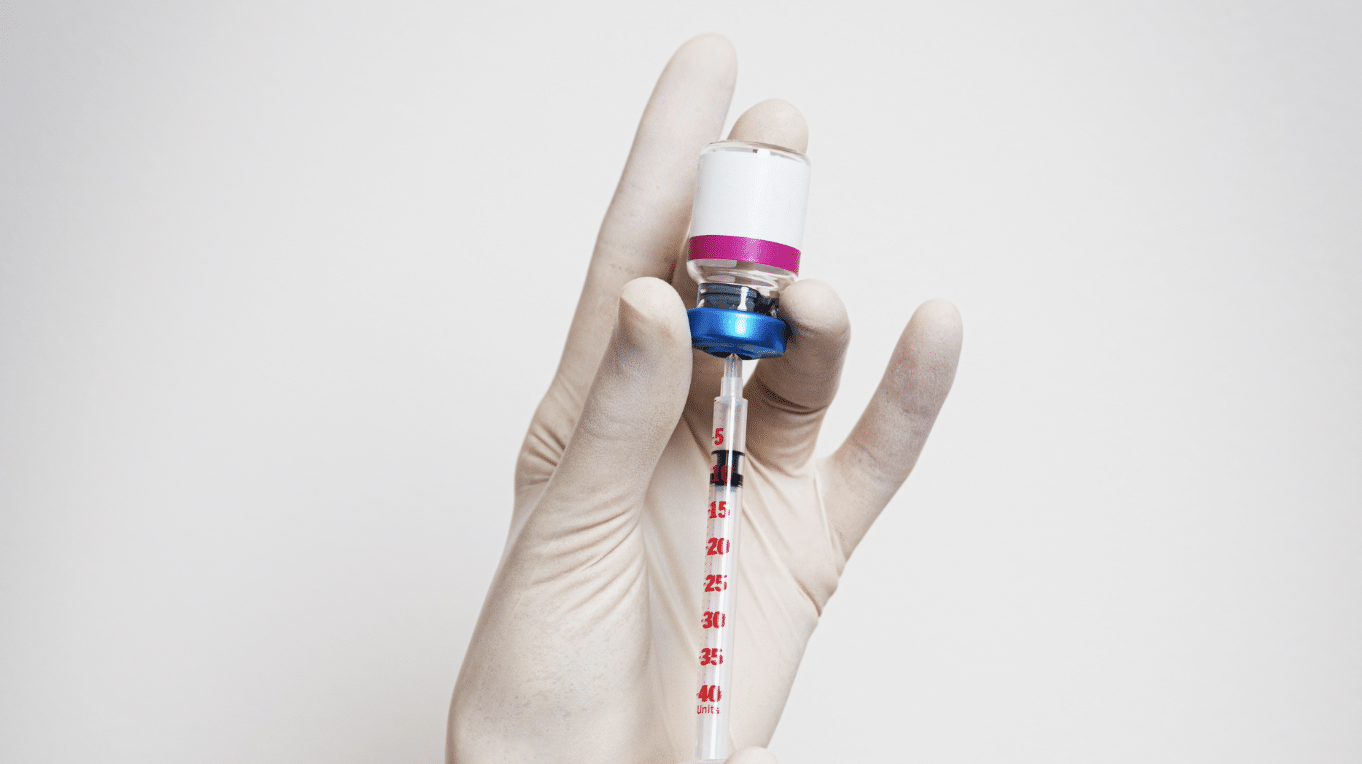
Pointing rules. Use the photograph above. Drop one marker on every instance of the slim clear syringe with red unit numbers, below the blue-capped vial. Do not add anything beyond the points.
(721, 574)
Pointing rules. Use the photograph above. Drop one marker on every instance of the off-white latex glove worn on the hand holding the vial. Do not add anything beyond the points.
(588, 645)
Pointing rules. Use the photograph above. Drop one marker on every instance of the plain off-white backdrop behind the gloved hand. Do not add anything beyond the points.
(283, 283)
